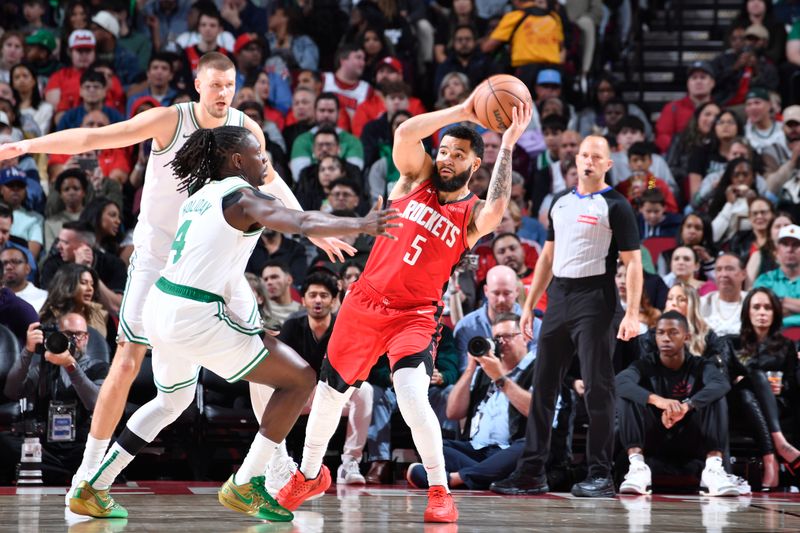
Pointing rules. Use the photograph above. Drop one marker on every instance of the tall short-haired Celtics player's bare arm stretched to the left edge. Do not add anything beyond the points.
(147, 125)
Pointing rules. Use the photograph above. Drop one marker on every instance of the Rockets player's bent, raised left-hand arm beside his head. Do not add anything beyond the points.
(408, 152)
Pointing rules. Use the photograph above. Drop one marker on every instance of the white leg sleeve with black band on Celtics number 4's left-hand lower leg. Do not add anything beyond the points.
(141, 429)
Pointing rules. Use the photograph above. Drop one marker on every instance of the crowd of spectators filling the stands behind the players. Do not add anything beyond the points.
(714, 181)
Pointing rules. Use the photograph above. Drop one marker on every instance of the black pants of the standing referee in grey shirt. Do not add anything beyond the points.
(578, 320)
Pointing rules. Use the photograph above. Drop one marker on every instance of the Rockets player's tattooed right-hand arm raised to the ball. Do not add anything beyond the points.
(487, 215)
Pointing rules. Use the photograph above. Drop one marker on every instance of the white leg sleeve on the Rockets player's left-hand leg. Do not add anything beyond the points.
(326, 410)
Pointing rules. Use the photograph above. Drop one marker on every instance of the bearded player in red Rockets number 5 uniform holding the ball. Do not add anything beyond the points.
(395, 306)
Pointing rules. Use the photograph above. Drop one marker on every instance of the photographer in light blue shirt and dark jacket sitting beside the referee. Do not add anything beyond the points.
(494, 394)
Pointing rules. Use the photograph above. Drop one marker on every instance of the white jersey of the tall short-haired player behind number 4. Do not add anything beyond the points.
(158, 219)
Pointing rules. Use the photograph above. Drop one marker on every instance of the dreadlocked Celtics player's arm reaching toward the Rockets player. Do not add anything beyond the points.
(255, 207)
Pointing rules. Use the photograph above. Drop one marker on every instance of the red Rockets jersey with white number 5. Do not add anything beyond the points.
(416, 267)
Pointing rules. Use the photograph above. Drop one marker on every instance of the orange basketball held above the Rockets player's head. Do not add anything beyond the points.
(496, 96)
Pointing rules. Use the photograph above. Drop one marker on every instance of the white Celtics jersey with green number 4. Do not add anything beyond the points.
(207, 252)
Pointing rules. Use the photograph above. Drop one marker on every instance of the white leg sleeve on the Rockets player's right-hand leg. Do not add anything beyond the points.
(411, 388)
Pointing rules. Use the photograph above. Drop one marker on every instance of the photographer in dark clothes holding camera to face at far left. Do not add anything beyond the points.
(63, 389)
